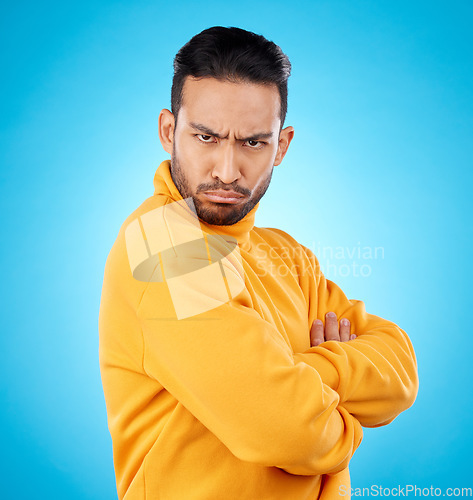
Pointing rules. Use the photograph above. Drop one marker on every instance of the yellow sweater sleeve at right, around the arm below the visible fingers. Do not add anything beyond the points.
(375, 375)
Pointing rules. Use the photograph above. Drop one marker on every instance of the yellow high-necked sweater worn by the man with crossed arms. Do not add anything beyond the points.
(211, 386)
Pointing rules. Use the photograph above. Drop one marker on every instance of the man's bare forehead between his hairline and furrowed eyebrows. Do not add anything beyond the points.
(227, 105)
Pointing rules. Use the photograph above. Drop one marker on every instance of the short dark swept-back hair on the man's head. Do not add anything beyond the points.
(231, 54)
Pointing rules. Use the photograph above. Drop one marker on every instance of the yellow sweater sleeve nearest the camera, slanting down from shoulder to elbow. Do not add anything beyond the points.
(234, 373)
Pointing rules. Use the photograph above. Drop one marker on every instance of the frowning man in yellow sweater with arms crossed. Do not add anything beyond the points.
(226, 371)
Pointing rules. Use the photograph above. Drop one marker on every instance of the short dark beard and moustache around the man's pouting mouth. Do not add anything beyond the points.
(220, 214)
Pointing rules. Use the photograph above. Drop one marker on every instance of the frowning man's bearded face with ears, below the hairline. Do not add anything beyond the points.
(224, 145)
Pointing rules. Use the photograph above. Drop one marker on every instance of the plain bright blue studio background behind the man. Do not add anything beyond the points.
(381, 100)
